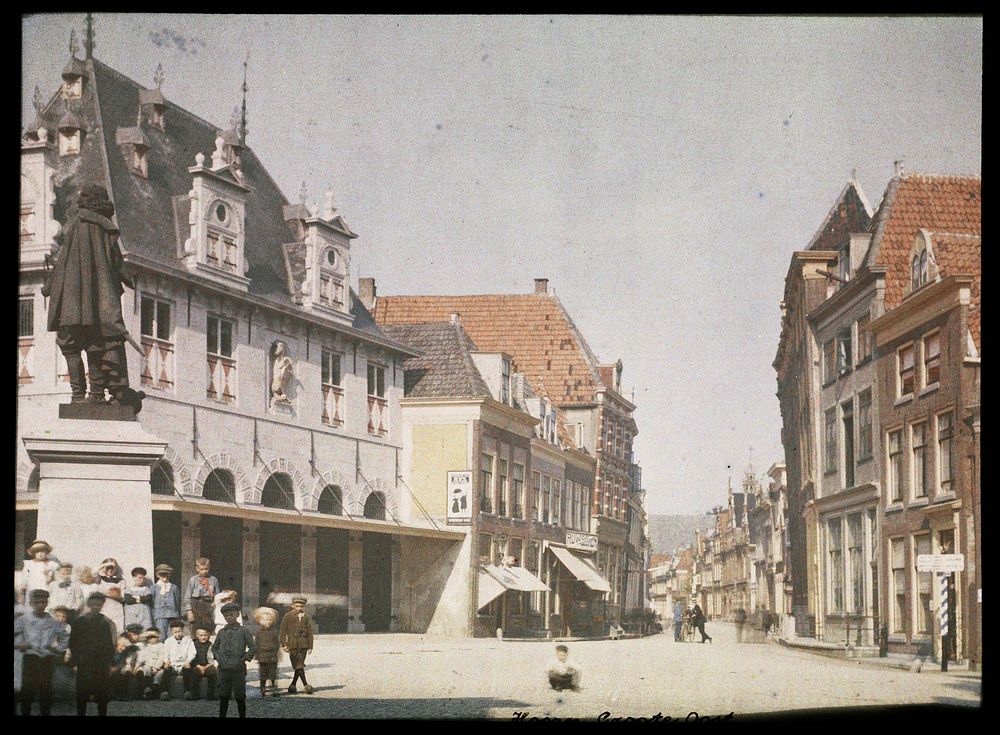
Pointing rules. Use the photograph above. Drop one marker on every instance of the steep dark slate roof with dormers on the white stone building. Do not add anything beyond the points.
(152, 213)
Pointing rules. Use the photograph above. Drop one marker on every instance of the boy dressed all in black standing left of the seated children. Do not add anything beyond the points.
(92, 644)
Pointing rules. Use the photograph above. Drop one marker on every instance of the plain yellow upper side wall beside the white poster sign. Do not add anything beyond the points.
(437, 449)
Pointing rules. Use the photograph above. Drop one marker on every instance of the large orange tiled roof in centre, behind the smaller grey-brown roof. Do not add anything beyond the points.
(534, 329)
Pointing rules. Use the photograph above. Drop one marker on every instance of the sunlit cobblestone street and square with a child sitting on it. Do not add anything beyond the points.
(411, 676)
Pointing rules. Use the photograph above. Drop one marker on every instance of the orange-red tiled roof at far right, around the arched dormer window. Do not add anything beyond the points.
(937, 203)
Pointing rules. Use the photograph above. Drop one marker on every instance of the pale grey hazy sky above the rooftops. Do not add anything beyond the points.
(659, 171)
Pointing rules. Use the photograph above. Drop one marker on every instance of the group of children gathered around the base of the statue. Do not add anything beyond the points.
(153, 647)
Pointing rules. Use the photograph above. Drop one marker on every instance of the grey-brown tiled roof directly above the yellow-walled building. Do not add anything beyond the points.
(446, 368)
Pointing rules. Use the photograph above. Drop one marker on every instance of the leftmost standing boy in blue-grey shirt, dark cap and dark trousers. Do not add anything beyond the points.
(42, 640)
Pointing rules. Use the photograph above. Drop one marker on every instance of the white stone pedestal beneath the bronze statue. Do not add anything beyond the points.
(94, 490)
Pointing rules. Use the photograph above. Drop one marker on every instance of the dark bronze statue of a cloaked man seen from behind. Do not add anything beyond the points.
(85, 289)
